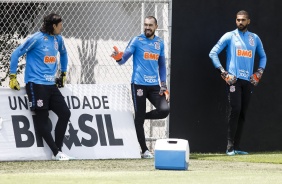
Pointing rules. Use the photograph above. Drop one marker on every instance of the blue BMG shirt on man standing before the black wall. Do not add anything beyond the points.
(240, 50)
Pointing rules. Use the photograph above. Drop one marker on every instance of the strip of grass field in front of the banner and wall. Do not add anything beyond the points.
(258, 168)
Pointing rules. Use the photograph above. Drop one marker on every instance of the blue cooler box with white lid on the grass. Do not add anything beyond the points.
(172, 154)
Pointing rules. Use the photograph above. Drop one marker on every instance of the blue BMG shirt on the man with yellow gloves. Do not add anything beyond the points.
(41, 51)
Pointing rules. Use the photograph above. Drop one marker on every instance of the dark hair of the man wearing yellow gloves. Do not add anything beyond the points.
(48, 22)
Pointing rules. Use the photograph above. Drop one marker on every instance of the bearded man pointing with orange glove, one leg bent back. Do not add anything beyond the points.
(148, 67)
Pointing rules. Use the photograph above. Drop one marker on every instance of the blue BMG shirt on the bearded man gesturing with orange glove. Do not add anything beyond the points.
(148, 60)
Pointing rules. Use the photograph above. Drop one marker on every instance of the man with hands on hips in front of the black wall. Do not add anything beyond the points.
(241, 46)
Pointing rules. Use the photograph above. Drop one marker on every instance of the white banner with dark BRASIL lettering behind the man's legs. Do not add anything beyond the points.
(101, 125)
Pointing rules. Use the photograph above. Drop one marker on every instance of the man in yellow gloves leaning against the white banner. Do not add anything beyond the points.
(41, 50)
